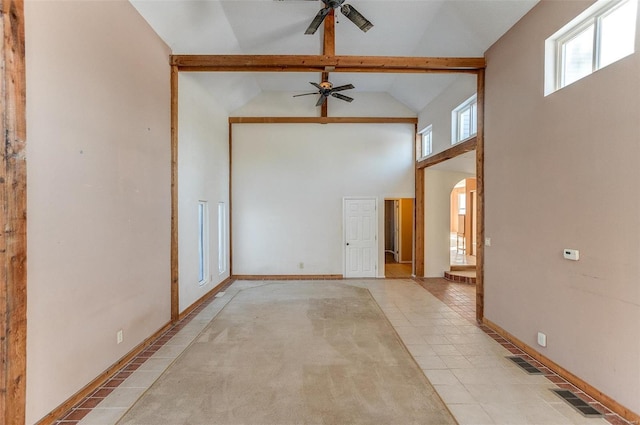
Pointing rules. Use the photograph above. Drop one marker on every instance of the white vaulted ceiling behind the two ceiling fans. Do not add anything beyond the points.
(454, 28)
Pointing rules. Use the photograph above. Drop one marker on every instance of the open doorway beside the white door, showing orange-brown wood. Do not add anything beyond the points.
(398, 237)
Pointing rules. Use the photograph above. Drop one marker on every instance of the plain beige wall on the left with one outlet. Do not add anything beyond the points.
(98, 165)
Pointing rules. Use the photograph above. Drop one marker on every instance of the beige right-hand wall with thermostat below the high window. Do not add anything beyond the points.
(562, 172)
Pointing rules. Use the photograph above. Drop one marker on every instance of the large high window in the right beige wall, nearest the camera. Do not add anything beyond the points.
(600, 36)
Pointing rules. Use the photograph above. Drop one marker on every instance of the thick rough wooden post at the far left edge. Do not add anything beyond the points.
(13, 201)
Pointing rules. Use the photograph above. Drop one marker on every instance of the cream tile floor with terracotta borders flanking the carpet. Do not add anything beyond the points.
(465, 362)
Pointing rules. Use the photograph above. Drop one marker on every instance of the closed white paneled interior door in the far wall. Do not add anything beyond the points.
(361, 240)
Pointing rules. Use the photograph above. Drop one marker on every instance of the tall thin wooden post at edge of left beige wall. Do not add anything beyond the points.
(175, 275)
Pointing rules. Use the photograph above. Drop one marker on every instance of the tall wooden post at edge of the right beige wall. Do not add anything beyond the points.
(480, 197)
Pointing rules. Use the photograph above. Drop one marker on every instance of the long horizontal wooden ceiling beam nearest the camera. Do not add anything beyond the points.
(320, 63)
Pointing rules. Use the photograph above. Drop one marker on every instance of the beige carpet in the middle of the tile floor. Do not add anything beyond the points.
(294, 353)
